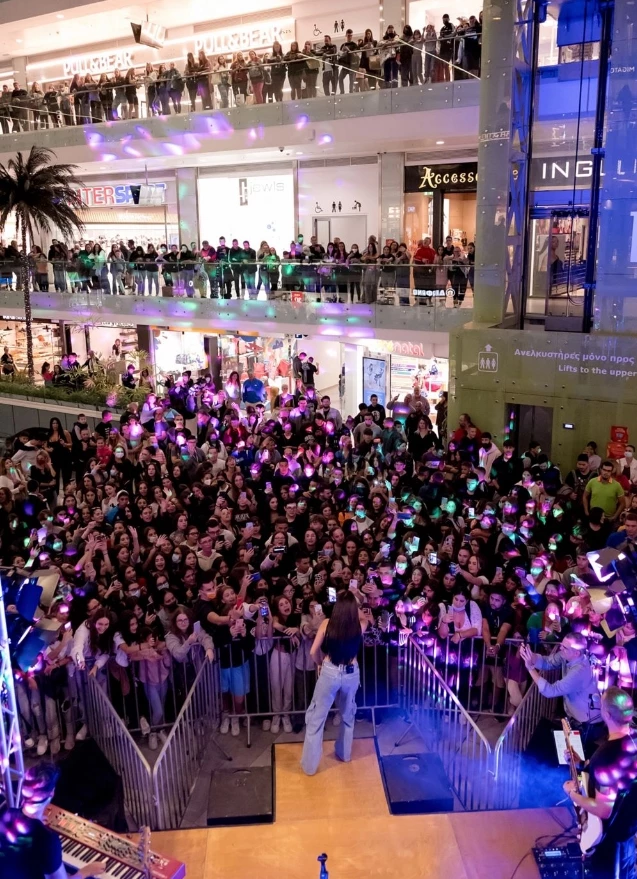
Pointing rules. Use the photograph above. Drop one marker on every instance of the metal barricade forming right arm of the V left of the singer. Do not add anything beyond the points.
(178, 764)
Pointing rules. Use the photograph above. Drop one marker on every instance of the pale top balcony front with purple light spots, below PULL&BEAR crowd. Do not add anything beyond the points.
(344, 121)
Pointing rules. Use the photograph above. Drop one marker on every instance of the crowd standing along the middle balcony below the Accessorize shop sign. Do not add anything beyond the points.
(335, 272)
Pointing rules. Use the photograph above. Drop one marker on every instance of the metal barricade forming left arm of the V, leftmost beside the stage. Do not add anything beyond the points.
(117, 745)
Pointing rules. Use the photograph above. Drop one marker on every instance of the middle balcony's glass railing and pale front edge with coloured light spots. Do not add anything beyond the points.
(354, 302)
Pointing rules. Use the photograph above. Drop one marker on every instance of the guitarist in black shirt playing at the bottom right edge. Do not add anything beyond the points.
(612, 791)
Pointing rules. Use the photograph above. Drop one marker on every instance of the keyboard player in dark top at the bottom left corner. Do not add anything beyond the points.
(28, 848)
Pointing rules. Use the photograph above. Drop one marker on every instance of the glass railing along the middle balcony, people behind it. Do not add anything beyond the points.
(288, 280)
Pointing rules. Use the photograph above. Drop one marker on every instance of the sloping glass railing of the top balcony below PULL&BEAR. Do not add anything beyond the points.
(63, 105)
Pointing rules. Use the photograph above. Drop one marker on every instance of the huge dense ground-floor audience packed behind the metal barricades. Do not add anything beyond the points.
(201, 525)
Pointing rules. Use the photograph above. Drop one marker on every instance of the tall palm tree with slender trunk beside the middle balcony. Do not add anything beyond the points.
(43, 197)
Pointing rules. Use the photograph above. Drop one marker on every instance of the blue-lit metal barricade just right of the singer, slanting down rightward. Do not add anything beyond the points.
(448, 731)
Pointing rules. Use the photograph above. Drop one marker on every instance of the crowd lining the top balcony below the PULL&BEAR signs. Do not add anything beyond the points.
(358, 63)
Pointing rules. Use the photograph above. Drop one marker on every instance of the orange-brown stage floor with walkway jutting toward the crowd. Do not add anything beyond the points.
(343, 811)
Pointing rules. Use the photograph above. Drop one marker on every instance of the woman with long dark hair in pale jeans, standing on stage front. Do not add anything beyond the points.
(336, 646)
